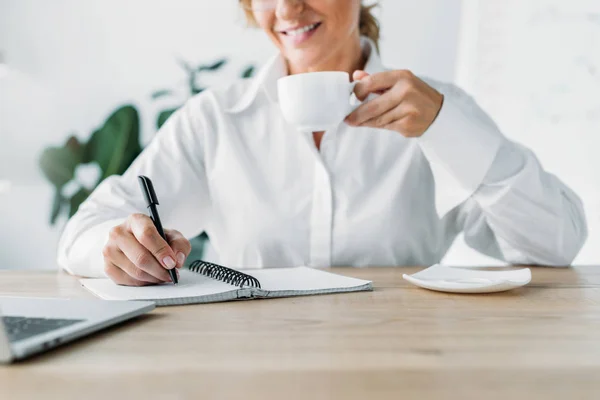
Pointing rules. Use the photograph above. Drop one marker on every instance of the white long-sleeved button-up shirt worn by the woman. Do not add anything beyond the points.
(228, 164)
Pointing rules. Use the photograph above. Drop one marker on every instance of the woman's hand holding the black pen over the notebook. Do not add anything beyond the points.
(136, 255)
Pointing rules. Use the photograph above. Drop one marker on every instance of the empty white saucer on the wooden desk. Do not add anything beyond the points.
(463, 280)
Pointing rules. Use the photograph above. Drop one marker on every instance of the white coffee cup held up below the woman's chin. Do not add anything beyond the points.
(316, 101)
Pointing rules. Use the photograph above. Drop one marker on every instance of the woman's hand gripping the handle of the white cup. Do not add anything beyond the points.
(406, 104)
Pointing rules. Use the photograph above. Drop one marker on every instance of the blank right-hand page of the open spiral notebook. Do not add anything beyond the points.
(302, 279)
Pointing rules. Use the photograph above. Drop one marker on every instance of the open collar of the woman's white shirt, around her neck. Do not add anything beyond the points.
(266, 79)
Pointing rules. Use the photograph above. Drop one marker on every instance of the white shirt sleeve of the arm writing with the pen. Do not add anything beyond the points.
(174, 162)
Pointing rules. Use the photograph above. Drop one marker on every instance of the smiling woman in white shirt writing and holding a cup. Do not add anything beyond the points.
(413, 166)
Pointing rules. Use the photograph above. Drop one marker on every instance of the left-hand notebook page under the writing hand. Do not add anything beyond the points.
(190, 285)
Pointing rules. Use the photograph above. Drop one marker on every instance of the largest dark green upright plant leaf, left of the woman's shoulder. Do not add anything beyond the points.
(116, 144)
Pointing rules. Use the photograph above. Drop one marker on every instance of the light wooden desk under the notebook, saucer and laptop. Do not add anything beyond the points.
(537, 342)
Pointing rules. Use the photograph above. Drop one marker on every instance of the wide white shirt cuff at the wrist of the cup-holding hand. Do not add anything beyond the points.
(460, 146)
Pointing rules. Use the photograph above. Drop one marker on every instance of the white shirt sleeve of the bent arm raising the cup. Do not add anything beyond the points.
(509, 207)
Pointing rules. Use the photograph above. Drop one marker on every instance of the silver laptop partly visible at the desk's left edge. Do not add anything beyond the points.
(34, 325)
